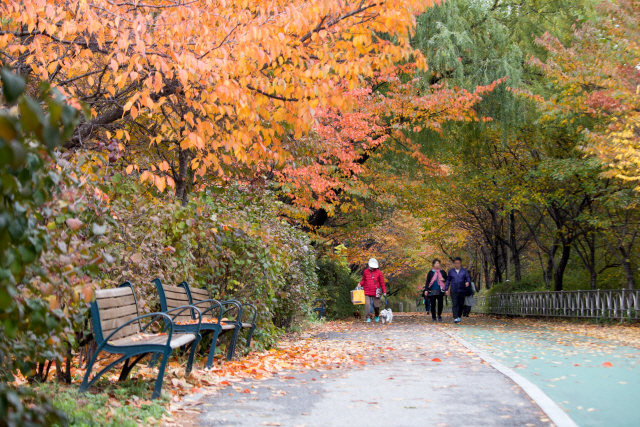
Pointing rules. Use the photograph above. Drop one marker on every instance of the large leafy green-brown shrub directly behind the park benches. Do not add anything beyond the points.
(231, 241)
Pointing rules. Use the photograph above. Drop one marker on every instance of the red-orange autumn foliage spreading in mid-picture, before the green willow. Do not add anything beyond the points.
(344, 137)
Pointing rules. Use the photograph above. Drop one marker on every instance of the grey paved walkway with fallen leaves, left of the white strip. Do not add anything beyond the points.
(400, 386)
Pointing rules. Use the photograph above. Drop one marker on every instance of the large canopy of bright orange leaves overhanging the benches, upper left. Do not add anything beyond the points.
(223, 80)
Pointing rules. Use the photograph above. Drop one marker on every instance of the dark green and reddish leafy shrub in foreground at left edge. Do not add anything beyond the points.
(52, 236)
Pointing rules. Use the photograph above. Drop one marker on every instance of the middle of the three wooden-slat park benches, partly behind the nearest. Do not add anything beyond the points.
(175, 296)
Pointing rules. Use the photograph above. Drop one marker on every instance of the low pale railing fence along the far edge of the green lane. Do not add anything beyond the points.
(611, 304)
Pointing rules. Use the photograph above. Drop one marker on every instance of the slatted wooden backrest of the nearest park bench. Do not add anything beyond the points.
(113, 308)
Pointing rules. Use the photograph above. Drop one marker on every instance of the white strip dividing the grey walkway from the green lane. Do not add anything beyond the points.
(548, 406)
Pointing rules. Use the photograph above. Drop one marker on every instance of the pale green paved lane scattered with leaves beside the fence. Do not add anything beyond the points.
(597, 382)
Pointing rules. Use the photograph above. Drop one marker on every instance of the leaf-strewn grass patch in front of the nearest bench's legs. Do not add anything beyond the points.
(126, 404)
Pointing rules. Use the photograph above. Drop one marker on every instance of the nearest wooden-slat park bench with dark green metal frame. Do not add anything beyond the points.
(118, 329)
